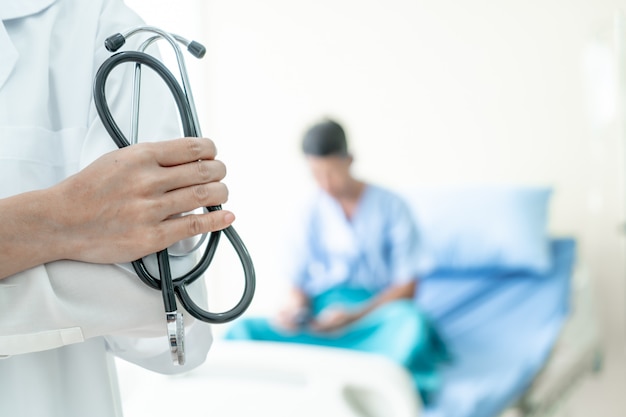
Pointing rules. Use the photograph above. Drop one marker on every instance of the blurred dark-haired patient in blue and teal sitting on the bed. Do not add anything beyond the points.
(355, 270)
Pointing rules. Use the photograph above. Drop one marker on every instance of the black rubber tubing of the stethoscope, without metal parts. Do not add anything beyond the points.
(176, 285)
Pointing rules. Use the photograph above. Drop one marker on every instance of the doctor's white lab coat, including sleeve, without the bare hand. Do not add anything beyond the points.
(70, 316)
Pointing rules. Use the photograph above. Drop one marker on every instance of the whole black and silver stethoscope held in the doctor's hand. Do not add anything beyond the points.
(171, 287)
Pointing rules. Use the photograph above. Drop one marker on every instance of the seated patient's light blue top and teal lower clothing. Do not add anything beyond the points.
(346, 262)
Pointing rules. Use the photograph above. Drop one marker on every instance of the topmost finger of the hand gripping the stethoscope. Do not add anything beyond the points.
(182, 151)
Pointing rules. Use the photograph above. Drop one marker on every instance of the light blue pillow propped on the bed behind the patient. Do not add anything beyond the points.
(482, 227)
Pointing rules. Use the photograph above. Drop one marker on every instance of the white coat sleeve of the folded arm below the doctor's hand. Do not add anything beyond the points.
(80, 301)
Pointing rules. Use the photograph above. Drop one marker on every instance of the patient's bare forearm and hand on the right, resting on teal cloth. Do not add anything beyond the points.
(334, 318)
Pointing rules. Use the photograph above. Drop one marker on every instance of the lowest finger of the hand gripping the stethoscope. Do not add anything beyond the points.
(179, 228)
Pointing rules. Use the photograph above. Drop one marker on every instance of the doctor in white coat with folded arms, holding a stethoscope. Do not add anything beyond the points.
(72, 206)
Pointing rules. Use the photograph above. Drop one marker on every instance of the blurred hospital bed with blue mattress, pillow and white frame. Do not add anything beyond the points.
(520, 326)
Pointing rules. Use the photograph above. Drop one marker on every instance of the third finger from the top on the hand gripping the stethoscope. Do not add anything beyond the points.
(188, 199)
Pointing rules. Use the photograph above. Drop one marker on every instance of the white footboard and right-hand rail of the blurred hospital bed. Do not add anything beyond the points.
(285, 380)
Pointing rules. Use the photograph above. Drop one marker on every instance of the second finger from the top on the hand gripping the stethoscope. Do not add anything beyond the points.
(192, 173)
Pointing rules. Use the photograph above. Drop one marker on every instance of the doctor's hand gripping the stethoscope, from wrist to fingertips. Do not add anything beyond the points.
(121, 207)
